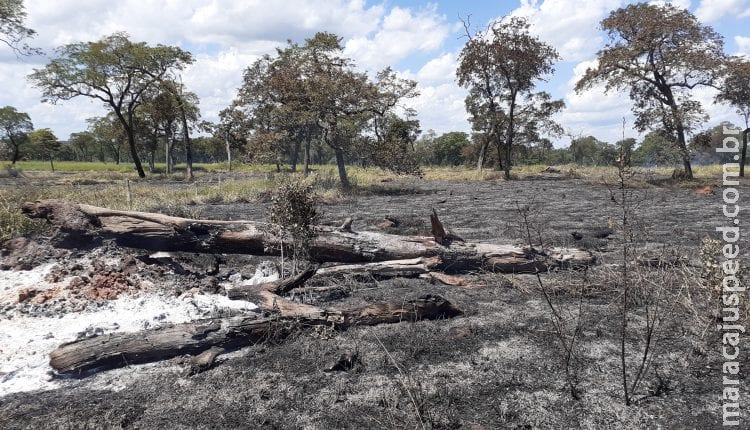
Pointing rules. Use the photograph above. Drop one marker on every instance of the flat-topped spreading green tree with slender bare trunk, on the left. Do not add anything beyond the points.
(113, 70)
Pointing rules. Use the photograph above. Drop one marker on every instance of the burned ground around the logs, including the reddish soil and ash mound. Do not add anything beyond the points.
(524, 352)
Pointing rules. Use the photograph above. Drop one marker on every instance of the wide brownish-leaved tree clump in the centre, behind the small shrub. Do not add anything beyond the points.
(311, 91)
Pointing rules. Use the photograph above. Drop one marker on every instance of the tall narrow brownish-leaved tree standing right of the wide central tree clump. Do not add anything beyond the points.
(501, 69)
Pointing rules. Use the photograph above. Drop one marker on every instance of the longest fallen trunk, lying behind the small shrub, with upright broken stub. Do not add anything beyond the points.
(166, 233)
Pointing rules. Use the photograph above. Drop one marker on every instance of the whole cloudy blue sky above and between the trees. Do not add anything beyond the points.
(421, 40)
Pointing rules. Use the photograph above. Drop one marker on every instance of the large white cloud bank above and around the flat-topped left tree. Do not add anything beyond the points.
(225, 37)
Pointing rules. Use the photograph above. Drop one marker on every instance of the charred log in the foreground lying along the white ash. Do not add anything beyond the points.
(120, 349)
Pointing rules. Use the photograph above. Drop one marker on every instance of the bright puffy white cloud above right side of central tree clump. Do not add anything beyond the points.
(402, 32)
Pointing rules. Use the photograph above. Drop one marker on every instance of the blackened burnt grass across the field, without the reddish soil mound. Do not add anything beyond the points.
(500, 365)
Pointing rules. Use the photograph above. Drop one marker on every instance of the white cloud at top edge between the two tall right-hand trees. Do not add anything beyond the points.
(570, 26)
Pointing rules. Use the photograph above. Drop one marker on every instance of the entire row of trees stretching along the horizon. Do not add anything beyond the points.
(308, 101)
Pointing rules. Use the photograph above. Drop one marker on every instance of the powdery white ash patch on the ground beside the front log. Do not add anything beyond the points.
(27, 338)
